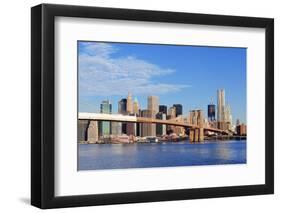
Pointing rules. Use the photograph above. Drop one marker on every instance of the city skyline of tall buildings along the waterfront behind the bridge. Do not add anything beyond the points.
(217, 124)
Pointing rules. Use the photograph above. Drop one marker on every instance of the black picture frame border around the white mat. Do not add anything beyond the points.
(43, 105)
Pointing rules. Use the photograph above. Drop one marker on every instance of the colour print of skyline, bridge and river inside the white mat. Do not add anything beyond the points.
(144, 105)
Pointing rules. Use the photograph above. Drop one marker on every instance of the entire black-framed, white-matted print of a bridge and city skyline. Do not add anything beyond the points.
(139, 106)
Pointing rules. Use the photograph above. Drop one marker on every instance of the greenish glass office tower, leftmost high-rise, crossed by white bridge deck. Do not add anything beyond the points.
(104, 126)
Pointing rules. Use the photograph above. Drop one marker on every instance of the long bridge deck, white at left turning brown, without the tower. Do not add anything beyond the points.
(135, 119)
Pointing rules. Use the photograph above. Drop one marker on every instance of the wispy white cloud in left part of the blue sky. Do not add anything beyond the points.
(101, 74)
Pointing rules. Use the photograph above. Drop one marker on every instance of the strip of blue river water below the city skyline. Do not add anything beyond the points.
(145, 155)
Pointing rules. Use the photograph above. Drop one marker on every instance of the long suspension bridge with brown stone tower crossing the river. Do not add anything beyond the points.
(196, 131)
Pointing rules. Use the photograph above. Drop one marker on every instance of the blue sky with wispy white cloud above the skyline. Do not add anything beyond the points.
(188, 75)
